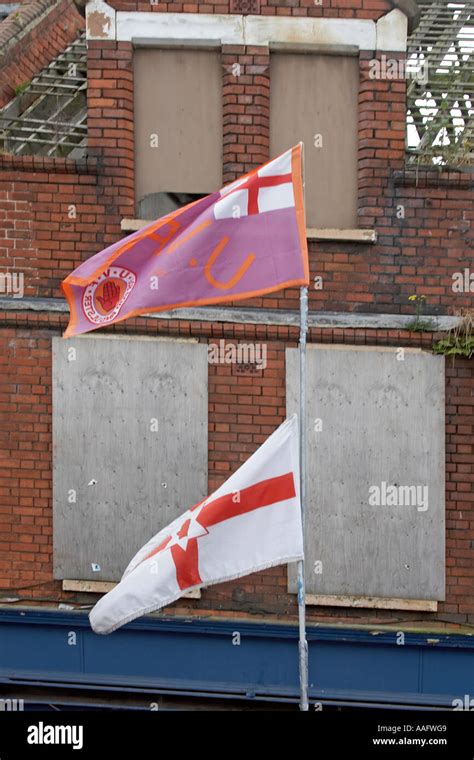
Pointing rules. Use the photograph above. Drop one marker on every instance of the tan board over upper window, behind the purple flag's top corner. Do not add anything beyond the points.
(314, 99)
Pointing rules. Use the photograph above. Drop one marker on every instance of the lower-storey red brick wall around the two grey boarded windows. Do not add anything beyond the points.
(243, 411)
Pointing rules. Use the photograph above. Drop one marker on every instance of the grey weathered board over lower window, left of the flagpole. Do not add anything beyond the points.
(130, 447)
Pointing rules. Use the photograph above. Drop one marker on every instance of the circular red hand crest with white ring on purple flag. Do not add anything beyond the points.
(103, 298)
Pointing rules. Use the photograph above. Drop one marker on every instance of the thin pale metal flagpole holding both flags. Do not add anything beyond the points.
(303, 644)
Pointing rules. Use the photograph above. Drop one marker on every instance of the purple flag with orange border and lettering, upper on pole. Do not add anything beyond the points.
(245, 240)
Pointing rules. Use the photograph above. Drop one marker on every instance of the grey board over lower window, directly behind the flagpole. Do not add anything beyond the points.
(375, 471)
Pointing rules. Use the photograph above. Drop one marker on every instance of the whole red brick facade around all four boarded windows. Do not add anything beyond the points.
(417, 253)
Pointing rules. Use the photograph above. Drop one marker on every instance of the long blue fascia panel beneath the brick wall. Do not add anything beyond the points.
(196, 656)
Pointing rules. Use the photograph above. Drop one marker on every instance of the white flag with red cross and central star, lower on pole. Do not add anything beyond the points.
(253, 521)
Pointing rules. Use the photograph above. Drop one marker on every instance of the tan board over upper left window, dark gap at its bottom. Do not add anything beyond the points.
(178, 125)
